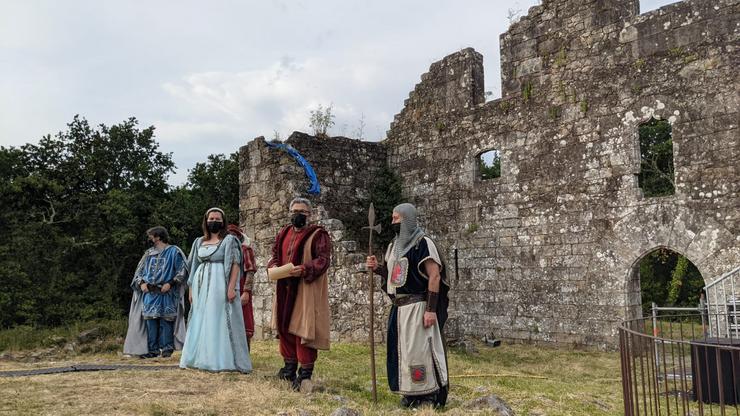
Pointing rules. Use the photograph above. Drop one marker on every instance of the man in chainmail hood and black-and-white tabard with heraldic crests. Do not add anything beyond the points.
(414, 279)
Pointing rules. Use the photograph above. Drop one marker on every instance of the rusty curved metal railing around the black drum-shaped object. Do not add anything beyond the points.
(675, 363)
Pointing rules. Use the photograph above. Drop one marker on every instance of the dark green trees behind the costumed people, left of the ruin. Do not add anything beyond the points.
(76, 207)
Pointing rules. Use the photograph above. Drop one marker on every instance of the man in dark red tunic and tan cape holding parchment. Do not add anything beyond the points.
(301, 304)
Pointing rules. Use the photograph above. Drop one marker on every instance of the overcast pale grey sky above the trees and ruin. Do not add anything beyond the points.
(211, 76)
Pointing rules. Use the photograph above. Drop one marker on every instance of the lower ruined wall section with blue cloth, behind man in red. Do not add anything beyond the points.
(271, 178)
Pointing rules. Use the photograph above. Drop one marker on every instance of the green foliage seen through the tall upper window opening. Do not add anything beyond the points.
(656, 159)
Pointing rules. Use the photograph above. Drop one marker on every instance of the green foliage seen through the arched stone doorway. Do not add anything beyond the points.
(669, 279)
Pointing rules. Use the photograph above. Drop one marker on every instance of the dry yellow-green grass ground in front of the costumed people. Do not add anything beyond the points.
(532, 380)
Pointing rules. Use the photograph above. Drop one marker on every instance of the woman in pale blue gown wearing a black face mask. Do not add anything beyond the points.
(215, 340)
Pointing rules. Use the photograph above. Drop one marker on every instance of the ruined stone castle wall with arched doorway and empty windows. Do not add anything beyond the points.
(546, 251)
